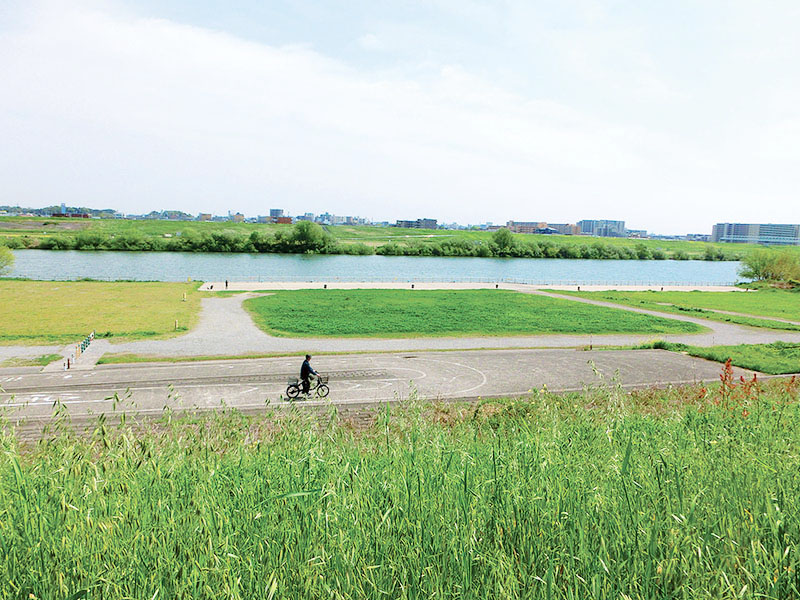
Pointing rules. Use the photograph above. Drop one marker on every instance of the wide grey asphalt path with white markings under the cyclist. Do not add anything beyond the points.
(30, 397)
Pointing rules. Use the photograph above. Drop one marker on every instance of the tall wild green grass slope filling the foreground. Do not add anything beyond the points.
(689, 493)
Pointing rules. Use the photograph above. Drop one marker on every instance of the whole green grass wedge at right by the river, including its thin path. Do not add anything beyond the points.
(781, 304)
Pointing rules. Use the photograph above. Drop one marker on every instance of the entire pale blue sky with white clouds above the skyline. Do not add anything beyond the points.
(671, 116)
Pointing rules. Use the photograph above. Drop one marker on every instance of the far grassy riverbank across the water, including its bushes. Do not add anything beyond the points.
(192, 236)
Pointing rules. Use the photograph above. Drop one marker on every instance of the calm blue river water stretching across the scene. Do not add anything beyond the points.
(177, 266)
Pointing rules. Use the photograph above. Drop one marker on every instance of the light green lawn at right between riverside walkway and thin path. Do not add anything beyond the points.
(781, 304)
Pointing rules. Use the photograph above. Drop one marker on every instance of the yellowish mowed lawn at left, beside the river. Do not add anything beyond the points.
(43, 312)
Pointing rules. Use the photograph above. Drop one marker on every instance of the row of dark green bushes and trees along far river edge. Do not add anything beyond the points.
(310, 238)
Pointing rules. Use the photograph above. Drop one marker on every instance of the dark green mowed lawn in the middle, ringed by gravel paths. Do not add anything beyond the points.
(407, 313)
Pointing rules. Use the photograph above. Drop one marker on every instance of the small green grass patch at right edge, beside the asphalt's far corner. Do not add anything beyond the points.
(778, 358)
